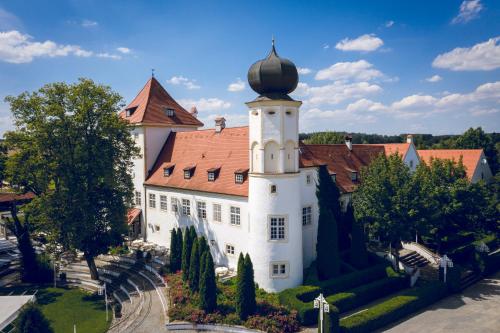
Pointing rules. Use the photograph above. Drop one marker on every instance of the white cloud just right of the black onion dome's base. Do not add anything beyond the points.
(336, 92)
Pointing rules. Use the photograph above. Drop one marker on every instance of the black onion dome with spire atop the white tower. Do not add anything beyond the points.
(273, 77)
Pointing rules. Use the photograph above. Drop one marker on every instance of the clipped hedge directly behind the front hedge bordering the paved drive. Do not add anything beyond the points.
(363, 294)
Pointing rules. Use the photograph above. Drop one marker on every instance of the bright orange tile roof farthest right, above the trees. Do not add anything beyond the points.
(470, 157)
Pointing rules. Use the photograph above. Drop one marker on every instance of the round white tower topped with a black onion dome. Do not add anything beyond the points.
(274, 196)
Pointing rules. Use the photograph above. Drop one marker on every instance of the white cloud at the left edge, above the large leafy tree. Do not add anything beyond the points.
(18, 48)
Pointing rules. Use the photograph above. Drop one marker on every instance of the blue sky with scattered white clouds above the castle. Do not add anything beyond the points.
(366, 66)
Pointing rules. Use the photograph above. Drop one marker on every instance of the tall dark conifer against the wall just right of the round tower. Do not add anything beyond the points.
(328, 257)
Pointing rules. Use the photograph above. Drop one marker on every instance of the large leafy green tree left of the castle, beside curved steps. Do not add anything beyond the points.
(75, 153)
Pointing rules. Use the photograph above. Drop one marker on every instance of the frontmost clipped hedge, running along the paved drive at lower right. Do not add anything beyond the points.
(393, 309)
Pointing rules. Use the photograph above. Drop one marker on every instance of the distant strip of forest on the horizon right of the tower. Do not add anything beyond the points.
(473, 138)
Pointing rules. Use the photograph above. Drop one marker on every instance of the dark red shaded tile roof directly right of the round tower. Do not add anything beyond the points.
(340, 160)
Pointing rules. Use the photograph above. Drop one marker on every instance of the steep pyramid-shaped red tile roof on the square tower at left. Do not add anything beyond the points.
(149, 108)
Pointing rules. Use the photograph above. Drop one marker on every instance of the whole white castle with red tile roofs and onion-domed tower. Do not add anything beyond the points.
(246, 189)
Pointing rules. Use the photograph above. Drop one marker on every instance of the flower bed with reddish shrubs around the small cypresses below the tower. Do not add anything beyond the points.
(269, 317)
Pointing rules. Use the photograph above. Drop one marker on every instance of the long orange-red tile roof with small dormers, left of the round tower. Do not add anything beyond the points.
(204, 149)
